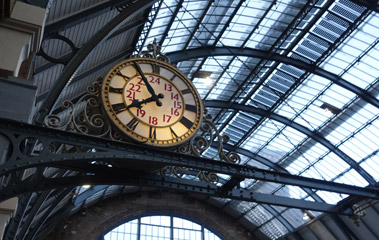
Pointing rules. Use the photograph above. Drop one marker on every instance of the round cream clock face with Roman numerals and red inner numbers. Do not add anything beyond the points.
(152, 102)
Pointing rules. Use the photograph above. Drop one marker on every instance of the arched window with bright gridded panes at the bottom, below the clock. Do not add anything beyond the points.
(161, 228)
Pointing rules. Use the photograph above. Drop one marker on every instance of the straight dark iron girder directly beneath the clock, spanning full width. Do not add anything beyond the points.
(119, 154)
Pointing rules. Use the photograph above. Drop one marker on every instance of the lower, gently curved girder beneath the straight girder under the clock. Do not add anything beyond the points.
(179, 184)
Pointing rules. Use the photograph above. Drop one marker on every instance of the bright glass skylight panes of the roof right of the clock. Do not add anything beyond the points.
(333, 35)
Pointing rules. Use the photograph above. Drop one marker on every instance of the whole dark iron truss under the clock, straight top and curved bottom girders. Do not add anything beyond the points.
(101, 161)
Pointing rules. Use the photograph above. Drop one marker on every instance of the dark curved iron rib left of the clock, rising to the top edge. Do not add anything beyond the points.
(72, 67)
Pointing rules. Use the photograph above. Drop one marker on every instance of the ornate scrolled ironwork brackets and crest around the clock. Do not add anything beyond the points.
(86, 116)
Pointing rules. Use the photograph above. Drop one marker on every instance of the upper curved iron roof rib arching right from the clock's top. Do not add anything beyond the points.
(179, 56)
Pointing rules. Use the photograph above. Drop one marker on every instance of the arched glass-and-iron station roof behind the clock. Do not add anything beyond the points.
(274, 68)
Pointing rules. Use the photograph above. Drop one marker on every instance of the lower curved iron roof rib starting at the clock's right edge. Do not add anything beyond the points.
(312, 134)
